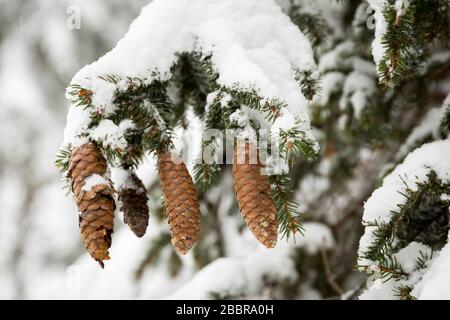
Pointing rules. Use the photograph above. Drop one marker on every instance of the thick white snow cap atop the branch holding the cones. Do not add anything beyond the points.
(242, 36)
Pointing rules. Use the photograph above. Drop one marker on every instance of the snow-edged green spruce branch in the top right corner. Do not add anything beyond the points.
(403, 32)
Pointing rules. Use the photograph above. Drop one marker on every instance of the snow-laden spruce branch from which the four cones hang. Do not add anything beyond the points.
(218, 58)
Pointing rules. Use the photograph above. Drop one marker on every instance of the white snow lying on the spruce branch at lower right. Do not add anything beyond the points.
(379, 209)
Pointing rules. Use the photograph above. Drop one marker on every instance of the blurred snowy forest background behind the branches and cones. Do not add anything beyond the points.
(43, 44)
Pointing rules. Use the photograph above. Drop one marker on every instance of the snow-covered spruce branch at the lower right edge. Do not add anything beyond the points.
(406, 223)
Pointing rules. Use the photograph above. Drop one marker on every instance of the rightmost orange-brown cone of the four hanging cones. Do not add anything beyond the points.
(254, 196)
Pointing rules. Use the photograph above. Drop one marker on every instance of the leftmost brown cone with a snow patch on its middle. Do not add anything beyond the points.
(94, 198)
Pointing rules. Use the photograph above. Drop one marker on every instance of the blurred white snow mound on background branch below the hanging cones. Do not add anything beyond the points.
(247, 274)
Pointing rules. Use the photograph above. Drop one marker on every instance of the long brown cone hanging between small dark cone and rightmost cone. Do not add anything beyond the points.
(180, 199)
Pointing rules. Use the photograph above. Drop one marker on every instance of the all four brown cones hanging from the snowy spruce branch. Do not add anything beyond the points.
(96, 204)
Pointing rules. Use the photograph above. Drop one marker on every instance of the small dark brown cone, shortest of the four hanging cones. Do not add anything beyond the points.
(133, 199)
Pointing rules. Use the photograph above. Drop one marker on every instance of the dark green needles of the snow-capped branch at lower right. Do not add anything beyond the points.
(423, 218)
